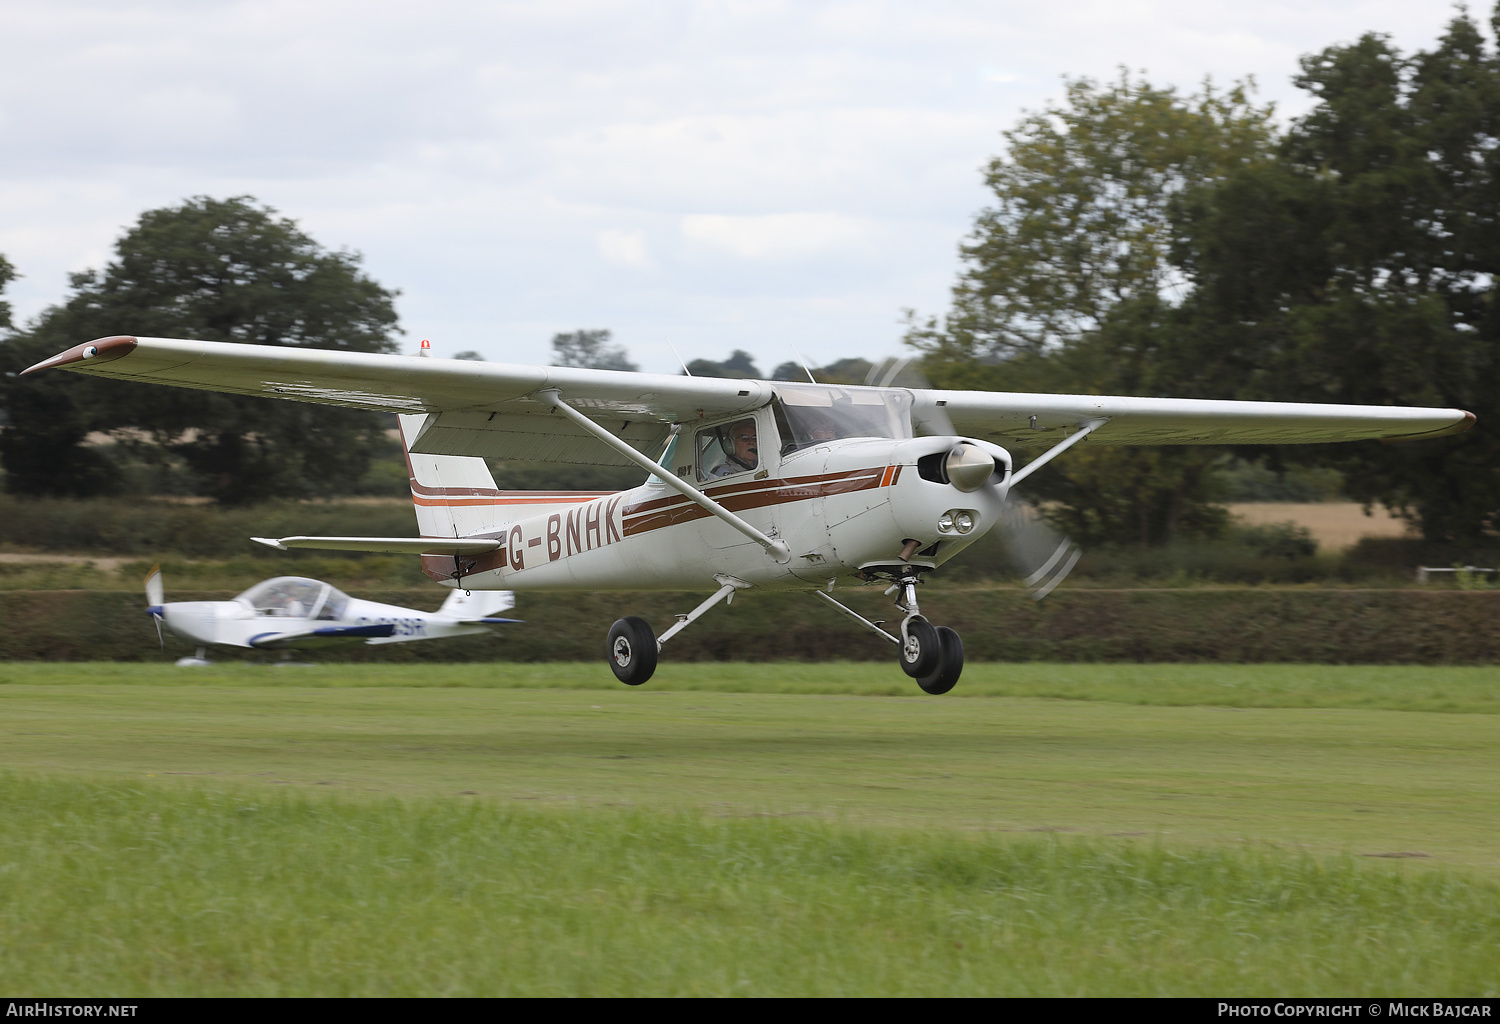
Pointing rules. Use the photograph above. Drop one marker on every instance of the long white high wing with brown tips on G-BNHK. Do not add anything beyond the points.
(491, 409)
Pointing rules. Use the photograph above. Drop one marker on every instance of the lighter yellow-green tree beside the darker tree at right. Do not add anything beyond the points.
(1067, 286)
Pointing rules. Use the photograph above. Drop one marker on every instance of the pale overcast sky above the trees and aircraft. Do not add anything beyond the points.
(730, 175)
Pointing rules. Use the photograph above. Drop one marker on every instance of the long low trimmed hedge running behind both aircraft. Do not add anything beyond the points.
(1231, 626)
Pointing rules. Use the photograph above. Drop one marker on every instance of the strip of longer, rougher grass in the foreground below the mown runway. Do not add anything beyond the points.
(127, 890)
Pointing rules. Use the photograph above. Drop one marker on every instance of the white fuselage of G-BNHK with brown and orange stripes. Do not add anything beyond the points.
(841, 506)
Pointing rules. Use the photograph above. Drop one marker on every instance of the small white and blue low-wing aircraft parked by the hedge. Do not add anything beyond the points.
(295, 612)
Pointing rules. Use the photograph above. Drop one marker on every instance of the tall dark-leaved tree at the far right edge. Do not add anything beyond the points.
(1361, 266)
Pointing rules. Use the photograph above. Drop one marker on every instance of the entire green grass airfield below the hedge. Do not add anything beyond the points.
(749, 830)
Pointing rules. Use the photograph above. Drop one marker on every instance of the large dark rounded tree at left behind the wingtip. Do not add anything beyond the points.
(224, 271)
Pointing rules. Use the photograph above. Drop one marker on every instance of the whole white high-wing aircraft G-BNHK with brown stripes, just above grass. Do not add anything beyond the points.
(764, 485)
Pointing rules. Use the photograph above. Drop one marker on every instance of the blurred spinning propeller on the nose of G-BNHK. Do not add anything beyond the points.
(1040, 552)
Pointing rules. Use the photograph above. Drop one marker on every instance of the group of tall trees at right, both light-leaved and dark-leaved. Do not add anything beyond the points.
(1151, 244)
